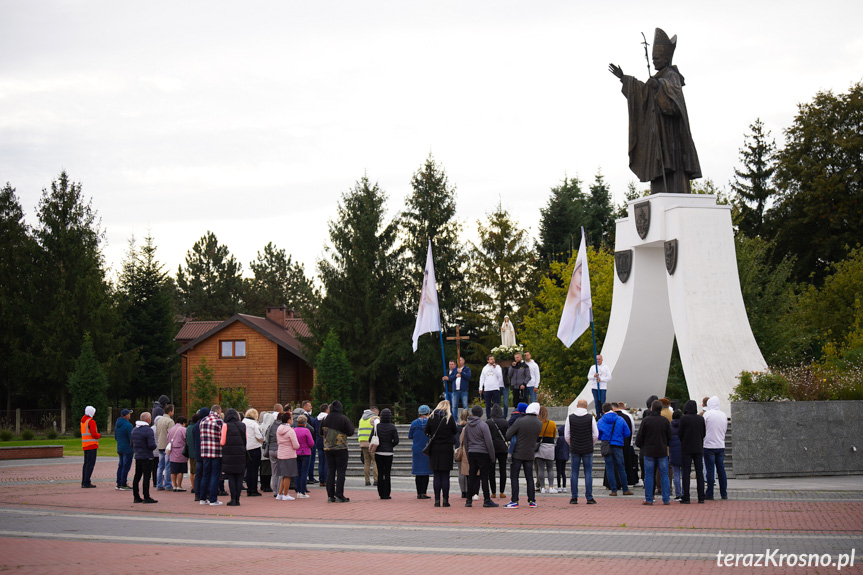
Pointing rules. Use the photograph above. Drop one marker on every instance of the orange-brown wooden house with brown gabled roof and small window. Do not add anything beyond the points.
(262, 355)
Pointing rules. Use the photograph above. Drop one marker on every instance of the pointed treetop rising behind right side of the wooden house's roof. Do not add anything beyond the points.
(278, 281)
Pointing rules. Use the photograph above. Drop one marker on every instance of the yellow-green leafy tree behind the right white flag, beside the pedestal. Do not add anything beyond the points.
(564, 371)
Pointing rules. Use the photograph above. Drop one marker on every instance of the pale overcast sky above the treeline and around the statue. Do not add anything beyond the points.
(250, 119)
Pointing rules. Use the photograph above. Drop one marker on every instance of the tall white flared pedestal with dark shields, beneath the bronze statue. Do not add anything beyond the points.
(700, 303)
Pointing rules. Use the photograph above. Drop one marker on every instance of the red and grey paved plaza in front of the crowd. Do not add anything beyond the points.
(48, 524)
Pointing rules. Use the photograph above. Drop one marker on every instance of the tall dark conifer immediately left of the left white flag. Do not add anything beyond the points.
(362, 281)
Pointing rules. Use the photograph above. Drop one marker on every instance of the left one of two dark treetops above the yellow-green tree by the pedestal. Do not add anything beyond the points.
(560, 221)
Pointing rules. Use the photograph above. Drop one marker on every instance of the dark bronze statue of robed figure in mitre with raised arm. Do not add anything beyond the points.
(661, 150)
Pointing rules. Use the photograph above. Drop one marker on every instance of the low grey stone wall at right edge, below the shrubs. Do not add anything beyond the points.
(797, 438)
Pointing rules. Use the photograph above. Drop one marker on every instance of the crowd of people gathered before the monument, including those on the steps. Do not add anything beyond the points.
(275, 452)
